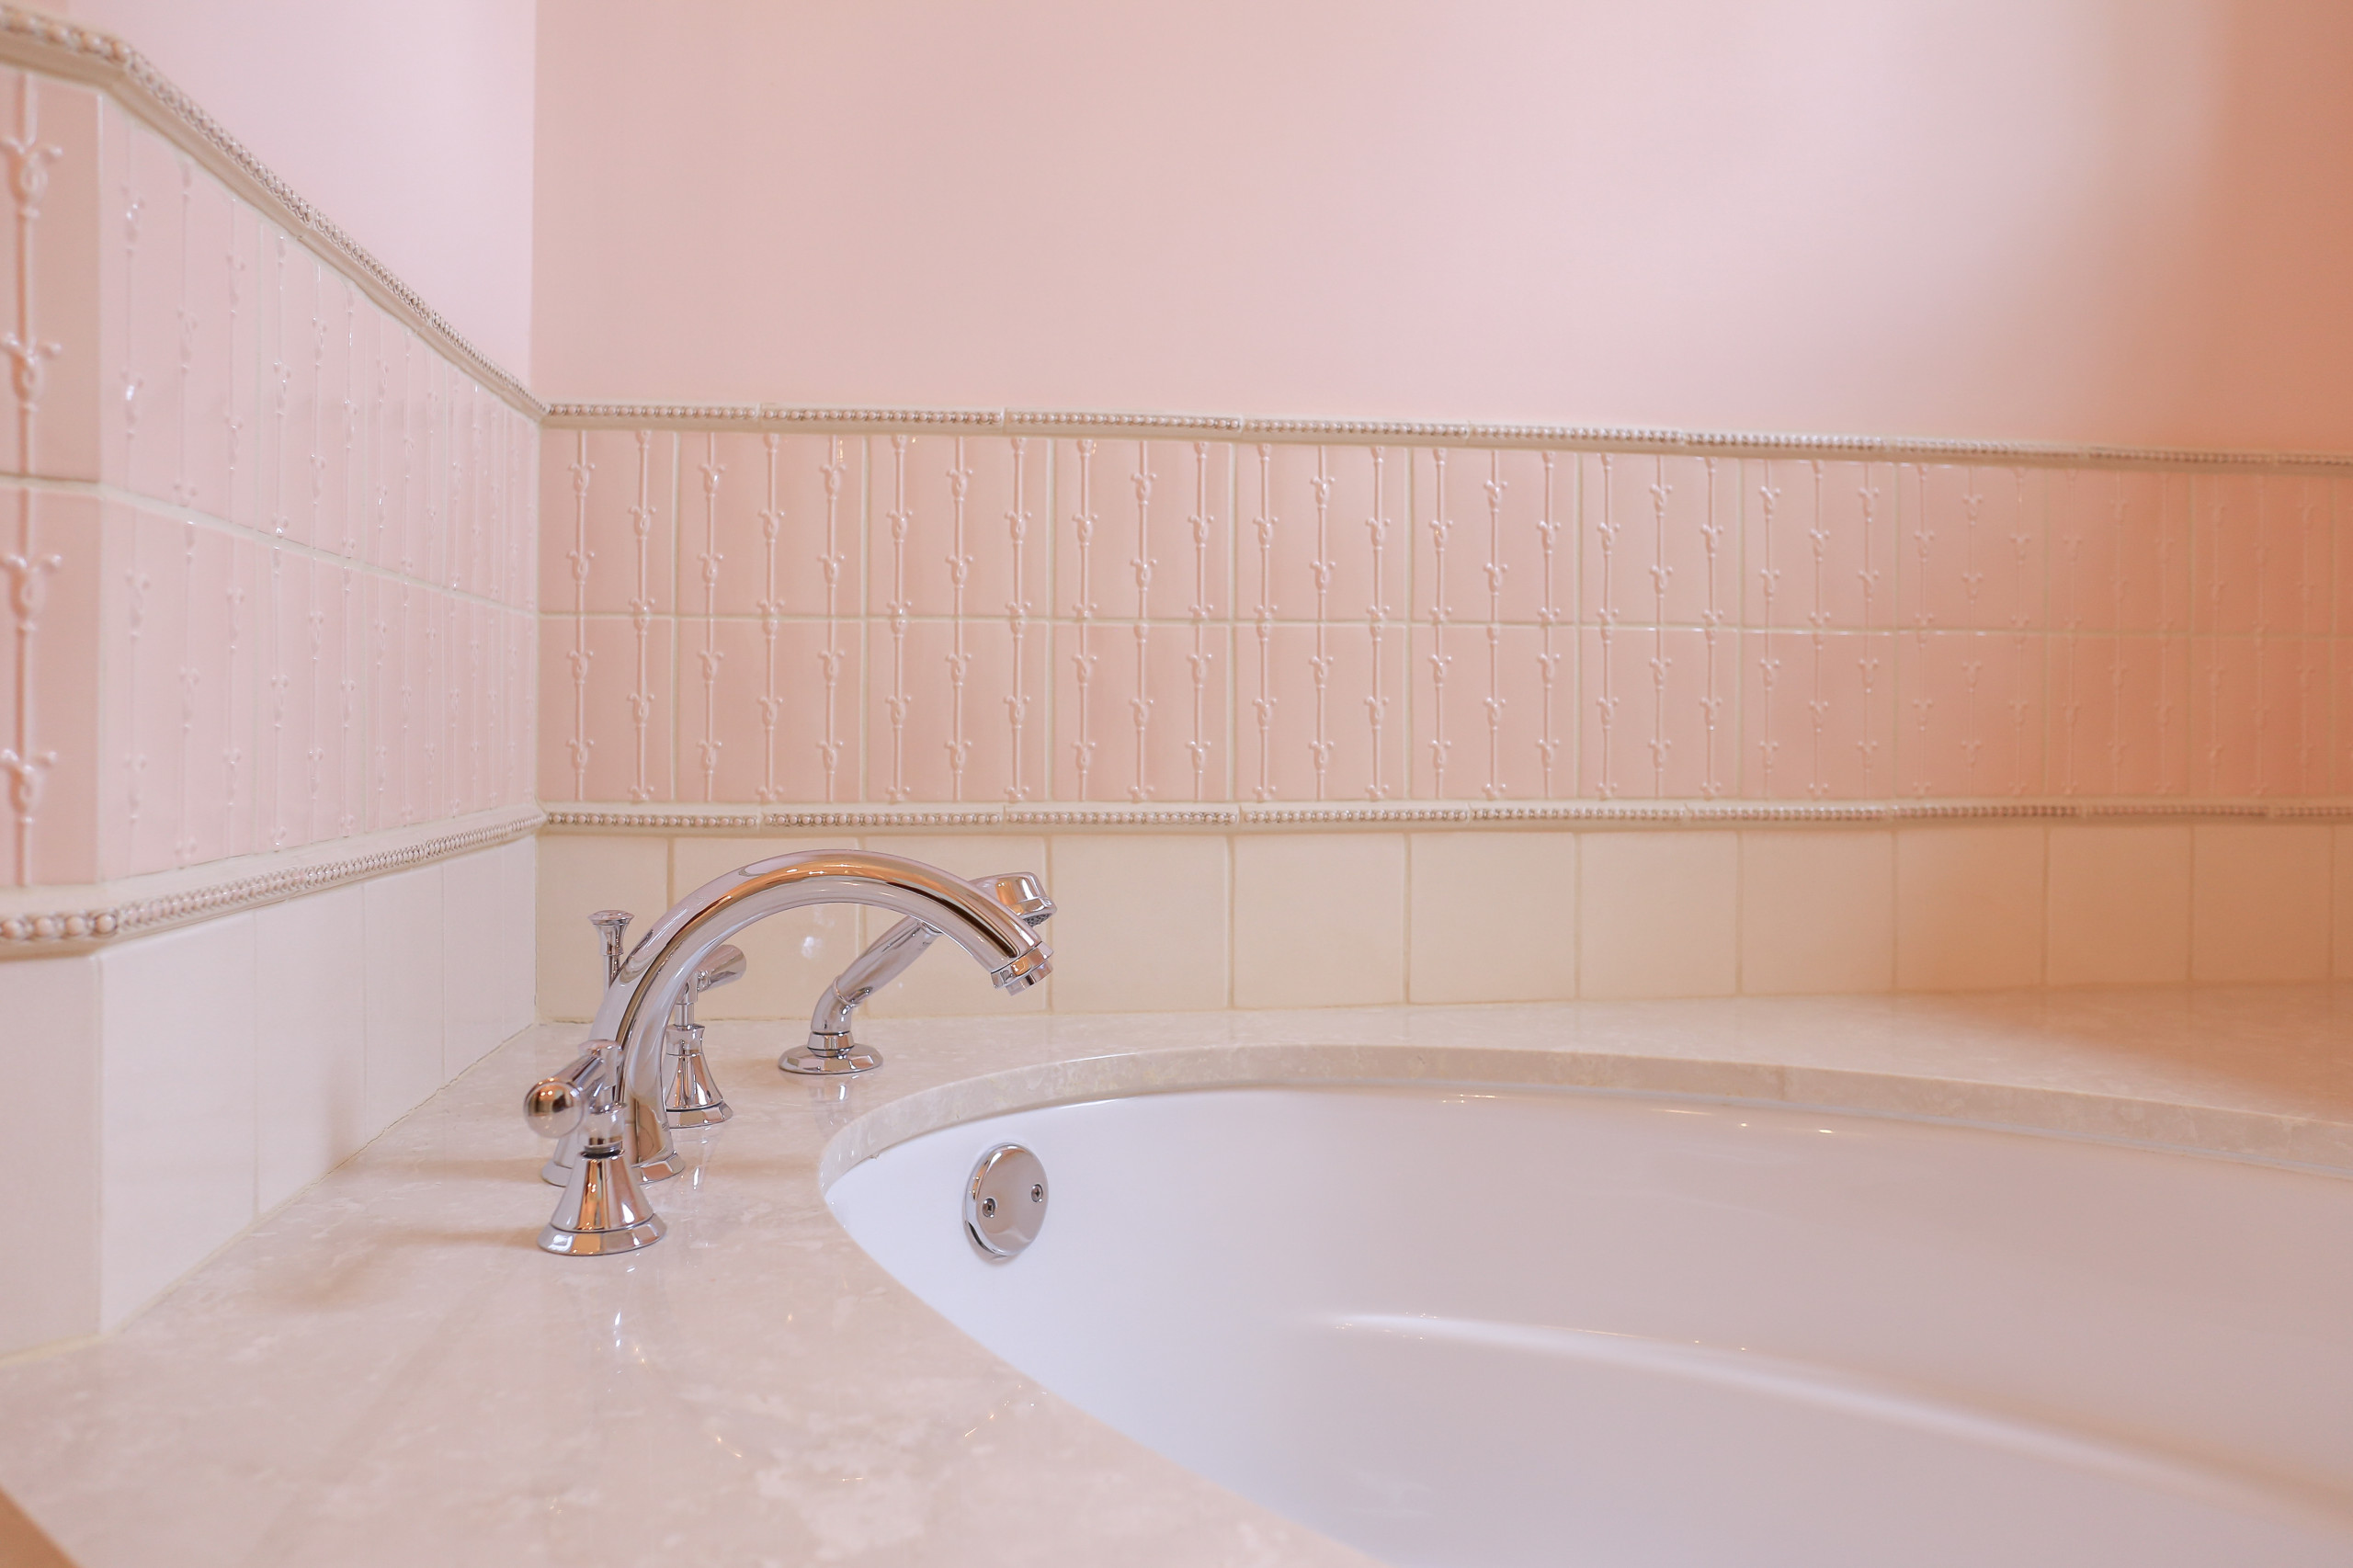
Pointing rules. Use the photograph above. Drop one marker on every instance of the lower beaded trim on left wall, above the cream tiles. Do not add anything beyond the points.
(46, 922)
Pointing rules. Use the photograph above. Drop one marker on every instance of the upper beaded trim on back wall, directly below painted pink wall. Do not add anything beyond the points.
(1547, 437)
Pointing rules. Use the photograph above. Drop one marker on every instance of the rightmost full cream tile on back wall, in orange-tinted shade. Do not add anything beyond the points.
(2260, 903)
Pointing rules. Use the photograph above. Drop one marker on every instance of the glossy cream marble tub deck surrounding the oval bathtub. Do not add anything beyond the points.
(387, 1369)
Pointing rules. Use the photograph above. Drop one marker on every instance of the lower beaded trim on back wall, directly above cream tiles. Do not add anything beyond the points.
(1432, 813)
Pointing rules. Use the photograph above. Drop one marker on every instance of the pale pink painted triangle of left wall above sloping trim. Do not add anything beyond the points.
(411, 126)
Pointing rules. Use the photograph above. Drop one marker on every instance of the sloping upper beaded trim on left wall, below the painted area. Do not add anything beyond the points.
(62, 48)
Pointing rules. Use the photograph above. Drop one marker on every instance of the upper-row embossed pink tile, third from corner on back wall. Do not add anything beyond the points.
(945, 519)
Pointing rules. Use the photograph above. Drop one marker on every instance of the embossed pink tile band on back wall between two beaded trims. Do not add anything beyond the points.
(780, 618)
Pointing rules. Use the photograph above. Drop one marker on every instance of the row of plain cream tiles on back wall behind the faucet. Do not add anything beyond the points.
(1156, 919)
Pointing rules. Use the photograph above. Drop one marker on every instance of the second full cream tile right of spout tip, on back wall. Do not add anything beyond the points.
(1319, 919)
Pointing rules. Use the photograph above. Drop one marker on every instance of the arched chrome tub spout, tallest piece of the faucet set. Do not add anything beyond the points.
(644, 990)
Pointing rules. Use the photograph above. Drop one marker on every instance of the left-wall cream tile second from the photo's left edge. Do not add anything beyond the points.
(178, 1091)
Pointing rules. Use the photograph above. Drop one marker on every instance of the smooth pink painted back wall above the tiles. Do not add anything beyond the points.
(2074, 220)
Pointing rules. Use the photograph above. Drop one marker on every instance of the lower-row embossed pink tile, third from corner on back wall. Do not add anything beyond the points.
(940, 719)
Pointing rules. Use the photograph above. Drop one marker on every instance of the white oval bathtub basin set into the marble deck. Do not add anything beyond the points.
(1528, 1327)
